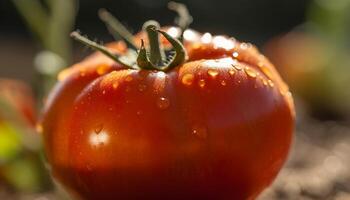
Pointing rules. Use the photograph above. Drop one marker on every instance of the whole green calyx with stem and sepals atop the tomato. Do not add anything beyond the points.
(155, 57)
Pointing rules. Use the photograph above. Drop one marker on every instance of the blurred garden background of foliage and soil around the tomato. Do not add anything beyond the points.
(307, 40)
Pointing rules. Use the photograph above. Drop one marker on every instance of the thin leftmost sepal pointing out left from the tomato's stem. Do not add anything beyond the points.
(75, 35)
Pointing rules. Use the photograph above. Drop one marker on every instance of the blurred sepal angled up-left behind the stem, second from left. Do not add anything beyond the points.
(116, 28)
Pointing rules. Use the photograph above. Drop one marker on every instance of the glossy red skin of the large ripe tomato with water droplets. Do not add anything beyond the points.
(203, 130)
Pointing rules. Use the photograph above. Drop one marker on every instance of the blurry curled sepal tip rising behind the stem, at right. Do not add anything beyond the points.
(184, 18)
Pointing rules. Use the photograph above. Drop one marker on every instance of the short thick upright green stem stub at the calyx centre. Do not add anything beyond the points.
(156, 54)
